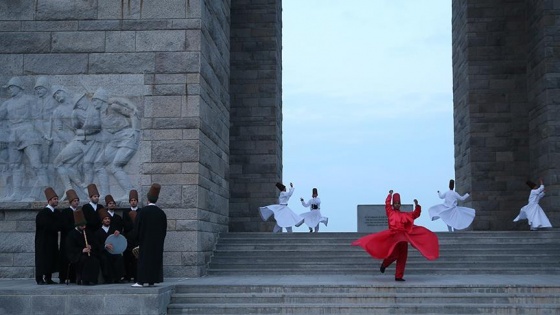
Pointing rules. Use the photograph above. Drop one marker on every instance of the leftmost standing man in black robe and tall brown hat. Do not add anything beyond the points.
(47, 225)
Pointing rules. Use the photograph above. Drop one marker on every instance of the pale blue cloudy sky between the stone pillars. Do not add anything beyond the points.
(367, 105)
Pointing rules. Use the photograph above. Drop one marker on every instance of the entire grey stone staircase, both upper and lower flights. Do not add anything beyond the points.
(462, 254)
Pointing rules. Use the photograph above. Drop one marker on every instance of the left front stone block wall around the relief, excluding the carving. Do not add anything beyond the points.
(172, 58)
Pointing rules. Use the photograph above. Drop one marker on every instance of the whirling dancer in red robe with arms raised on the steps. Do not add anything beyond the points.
(392, 244)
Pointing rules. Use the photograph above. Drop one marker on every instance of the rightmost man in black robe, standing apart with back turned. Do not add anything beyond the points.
(151, 229)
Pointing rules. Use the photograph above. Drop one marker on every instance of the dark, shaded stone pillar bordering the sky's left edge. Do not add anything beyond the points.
(256, 111)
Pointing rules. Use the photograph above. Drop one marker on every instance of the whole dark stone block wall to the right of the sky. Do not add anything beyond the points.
(502, 103)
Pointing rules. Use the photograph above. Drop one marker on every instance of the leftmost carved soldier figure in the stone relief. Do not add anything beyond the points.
(25, 140)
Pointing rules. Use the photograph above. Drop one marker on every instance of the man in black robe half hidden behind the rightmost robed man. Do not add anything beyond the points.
(129, 216)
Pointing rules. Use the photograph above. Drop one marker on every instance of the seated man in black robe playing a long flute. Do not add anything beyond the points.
(82, 250)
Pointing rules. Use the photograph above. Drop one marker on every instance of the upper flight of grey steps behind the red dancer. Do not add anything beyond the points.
(331, 253)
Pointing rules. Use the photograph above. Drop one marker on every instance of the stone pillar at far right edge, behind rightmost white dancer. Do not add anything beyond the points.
(543, 88)
